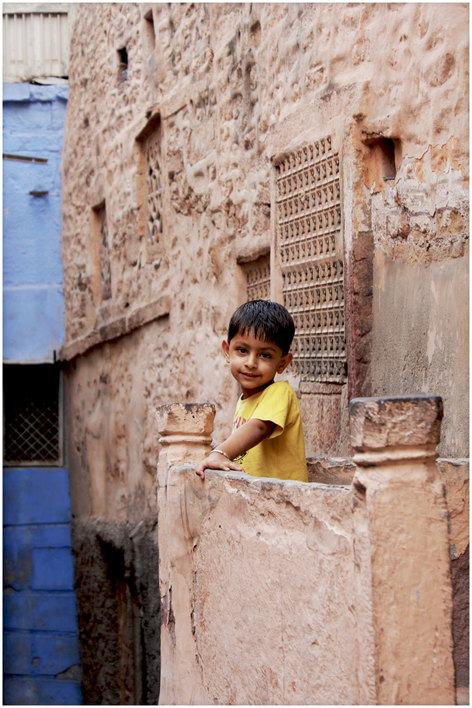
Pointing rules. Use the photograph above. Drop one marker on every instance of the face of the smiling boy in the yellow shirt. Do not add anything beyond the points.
(254, 362)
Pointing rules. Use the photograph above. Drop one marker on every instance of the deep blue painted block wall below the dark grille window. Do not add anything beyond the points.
(40, 645)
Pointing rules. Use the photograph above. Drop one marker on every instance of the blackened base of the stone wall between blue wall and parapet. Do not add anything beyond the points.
(118, 612)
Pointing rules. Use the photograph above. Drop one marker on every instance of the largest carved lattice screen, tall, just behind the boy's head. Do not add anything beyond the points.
(308, 218)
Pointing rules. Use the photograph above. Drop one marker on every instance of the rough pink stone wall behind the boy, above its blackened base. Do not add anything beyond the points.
(178, 118)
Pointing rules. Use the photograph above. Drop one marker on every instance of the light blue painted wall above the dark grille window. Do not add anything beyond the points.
(33, 303)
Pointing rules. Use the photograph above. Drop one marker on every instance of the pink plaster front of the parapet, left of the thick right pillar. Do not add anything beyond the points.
(269, 575)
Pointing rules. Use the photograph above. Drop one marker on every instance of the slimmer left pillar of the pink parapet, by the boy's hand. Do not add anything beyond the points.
(185, 438)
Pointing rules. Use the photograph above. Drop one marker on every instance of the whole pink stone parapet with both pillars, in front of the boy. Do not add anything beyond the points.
(230, 543)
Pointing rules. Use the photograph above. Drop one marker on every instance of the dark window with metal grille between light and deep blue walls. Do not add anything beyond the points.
(32, 420)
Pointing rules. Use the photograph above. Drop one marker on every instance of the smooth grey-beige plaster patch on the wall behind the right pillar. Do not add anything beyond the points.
(420, 319)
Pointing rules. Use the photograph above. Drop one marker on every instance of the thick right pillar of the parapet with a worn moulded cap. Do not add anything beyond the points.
(394, 442)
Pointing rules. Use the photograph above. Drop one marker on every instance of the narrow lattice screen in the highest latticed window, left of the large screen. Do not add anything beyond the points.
(152, 147)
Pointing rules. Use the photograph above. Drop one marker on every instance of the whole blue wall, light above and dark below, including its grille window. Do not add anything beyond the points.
(41, 658)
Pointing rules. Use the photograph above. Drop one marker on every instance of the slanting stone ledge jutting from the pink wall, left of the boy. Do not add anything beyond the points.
(119, 327)
